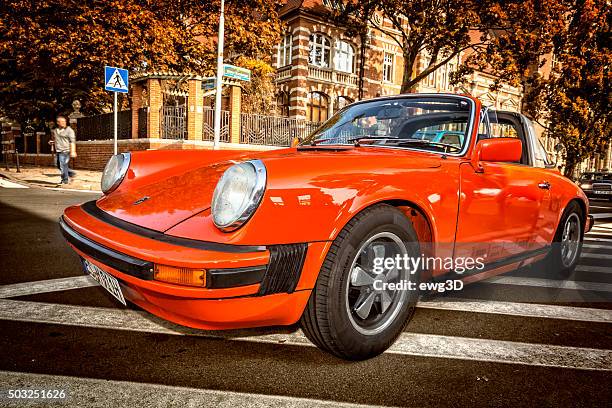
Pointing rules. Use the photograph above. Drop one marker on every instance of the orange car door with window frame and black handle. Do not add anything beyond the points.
(500, 208)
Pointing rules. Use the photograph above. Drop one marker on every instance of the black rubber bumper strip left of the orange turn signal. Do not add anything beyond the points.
(124, 263)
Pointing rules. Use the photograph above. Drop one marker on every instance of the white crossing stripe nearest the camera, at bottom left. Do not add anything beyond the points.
(107, 393)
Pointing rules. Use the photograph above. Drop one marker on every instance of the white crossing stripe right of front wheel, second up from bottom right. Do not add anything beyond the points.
(521, 309)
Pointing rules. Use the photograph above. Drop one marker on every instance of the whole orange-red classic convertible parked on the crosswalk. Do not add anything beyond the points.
(226, 239)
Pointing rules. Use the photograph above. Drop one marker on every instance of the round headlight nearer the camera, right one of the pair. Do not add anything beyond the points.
(238, 194)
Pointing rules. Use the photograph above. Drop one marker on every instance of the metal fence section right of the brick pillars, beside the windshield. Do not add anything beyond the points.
(273, 130)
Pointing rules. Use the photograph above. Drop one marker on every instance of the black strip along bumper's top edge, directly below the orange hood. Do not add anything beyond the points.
(92, 209)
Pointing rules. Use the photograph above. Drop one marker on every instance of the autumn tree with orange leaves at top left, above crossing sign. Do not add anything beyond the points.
(53, 51)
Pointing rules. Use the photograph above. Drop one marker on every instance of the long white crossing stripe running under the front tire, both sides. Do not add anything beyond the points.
(421, 345)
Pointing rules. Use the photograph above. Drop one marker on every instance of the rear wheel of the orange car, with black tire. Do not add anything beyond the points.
(562, 260)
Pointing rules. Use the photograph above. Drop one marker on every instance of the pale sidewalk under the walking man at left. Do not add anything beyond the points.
(50, 177)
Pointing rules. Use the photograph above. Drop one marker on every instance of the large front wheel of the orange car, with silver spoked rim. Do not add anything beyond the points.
(332, 319)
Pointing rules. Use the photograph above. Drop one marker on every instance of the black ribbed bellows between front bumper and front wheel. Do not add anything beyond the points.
(284, 268)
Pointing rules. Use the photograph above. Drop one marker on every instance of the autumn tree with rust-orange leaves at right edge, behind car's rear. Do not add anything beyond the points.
(572, 103)
